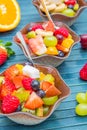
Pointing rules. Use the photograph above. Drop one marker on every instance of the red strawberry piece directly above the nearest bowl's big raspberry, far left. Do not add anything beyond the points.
(7, 88)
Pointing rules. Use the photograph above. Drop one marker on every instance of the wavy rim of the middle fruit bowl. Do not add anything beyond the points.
(47, 55)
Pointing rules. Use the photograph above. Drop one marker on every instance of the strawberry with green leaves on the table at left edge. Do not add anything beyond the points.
(5, 52)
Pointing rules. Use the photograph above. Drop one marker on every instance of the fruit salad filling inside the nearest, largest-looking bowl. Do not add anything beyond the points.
(25, 88)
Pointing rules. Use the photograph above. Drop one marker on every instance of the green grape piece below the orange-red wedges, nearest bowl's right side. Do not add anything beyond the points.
(50, 100)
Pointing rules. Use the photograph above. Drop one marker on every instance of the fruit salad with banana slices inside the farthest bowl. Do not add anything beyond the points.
(66, 7)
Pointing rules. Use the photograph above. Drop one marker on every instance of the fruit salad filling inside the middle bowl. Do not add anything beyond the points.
(44, 39)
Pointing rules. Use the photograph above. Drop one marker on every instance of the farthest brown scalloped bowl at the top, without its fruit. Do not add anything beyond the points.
(60, 17)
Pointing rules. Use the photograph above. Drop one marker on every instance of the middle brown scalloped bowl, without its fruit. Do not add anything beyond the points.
(48, 59)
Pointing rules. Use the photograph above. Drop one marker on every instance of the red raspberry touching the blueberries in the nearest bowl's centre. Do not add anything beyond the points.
(26, 81)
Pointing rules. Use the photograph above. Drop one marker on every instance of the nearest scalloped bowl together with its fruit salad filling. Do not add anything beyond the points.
(34, 97)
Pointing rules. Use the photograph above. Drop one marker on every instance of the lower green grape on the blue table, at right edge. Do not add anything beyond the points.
(81, 109)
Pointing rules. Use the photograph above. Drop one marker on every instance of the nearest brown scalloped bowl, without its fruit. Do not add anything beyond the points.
(29, 119)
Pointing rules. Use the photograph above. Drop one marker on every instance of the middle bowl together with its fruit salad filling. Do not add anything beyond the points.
(44, 41)
